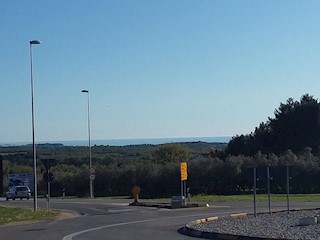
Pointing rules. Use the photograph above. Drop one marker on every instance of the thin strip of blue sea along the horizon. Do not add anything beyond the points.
(125, 142)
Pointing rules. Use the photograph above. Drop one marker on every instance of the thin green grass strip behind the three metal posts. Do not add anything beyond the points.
(260, 198)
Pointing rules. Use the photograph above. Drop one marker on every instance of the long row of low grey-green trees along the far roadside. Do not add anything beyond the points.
(158, 175)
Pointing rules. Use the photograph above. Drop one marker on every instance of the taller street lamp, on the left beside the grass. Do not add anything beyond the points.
(35, 205)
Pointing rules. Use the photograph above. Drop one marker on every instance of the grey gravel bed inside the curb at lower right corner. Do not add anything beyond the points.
(279, 225)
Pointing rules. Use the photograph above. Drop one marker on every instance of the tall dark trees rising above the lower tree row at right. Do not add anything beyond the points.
(296, 125)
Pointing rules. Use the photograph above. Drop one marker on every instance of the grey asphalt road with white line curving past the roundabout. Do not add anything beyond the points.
(114, 219)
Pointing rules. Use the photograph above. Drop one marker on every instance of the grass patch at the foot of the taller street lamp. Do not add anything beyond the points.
(14, 214)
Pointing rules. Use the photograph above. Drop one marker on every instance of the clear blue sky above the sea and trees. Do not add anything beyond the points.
(154, 68)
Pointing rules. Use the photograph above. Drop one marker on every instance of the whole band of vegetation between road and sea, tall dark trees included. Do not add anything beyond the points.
(289, 139)
